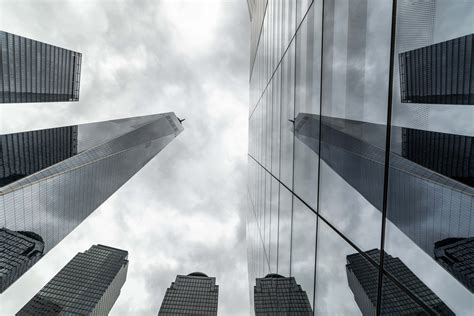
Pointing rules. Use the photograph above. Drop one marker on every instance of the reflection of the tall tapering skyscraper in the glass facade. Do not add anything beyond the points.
(417, 194)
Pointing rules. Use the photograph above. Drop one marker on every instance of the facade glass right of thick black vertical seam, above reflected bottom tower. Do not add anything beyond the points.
(431, 201)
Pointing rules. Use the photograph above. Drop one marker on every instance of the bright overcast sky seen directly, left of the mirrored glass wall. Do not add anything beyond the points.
(183, 212)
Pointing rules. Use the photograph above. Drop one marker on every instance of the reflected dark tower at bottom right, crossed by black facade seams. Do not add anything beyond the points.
(363, 279)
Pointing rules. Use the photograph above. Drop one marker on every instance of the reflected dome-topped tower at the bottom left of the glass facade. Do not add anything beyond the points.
(277, 295)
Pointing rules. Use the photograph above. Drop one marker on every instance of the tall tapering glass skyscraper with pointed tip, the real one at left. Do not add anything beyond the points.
(82, 166)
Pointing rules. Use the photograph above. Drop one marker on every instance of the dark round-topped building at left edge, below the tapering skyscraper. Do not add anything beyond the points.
(18, 252)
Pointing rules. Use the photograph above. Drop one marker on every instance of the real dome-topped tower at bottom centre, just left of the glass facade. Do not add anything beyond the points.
(192, 294)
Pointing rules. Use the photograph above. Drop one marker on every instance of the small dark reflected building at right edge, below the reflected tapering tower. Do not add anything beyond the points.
(457, 256)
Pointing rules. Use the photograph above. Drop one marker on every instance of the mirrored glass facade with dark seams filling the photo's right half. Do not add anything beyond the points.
(364, 198)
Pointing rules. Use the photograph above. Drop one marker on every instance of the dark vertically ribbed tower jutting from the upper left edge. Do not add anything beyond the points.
(32, 71)
